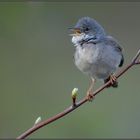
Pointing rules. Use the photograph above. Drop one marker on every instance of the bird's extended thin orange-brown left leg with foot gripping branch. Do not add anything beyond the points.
(90, 95)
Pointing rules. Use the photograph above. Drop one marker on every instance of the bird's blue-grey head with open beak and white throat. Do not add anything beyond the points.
(87, 28)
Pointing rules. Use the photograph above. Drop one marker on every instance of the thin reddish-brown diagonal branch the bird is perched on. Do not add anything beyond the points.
(75, 105)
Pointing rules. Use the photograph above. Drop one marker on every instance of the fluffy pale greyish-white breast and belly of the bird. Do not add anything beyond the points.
(96, 60)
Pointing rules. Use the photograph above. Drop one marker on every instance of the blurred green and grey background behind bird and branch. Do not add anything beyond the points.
(37, 72)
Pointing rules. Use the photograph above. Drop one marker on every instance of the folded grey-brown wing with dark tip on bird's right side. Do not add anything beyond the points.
(112, 42)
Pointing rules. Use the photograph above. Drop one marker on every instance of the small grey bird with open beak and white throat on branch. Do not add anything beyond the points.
(97, 54)
